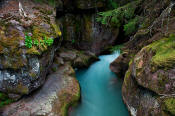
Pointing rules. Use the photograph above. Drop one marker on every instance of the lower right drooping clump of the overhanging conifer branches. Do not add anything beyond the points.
(131, 26)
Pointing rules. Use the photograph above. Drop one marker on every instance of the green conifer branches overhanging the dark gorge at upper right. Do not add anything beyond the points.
(124, 15)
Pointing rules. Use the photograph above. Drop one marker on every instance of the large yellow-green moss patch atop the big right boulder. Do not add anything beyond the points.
(164, 53)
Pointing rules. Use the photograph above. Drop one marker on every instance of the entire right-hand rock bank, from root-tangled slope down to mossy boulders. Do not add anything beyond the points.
(148, 87)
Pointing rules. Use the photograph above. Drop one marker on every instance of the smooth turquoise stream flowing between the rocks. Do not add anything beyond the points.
(100, 90)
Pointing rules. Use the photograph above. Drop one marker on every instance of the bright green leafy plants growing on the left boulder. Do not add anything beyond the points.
(29, 41)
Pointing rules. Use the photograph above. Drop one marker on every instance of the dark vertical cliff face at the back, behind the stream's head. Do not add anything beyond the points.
(84, 33)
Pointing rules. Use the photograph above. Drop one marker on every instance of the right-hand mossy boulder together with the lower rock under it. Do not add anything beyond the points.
(148, 86)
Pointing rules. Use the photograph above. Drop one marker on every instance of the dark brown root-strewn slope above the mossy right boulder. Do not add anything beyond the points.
(149, 32)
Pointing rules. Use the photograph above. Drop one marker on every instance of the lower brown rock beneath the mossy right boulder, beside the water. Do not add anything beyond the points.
(139, 100)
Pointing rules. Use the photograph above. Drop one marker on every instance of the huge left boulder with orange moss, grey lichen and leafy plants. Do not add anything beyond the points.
(24, 57)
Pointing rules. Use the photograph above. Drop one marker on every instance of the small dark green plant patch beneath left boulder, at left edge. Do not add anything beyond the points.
(4, 100)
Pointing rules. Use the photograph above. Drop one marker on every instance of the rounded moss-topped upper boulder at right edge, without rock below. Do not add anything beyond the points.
(154, 67)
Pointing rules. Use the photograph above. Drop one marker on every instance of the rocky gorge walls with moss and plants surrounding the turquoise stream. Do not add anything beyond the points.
(42, 42)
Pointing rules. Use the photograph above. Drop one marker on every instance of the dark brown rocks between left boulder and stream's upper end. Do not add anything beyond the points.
(78, 59)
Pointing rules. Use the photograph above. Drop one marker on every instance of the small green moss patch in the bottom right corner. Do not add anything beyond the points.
(170, 105)
